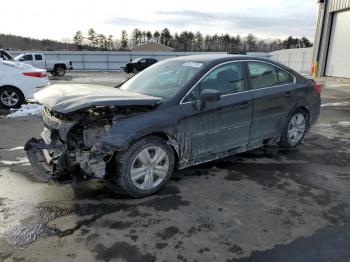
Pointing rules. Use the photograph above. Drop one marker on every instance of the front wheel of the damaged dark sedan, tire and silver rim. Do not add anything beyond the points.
(144, 167)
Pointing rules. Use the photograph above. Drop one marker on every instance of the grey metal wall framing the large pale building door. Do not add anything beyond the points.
(323, 31)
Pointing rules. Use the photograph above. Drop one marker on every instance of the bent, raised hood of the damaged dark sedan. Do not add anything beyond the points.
(69, 98)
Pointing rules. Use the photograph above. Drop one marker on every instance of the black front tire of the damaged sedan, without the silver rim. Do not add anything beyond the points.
(123, 163)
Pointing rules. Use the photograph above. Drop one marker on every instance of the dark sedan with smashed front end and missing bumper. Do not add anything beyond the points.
(177, 113)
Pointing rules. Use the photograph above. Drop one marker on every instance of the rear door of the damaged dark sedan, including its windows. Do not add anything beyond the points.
(271, 89)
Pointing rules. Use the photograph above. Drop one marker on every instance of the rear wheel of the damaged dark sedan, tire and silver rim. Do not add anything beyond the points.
(295, 129)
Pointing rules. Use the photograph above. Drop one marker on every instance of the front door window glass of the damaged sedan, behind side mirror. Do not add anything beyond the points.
(227, 79)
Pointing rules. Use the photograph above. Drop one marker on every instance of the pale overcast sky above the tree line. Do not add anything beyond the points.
(61, 19)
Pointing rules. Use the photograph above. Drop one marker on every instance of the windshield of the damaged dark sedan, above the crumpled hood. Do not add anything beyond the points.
(163, 79)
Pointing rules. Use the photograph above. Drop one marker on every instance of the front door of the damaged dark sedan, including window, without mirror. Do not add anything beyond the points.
(218, 126)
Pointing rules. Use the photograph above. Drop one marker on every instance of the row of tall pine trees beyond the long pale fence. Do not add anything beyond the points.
(186, 41)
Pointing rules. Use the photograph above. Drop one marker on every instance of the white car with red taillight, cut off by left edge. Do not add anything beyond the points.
(18, 82)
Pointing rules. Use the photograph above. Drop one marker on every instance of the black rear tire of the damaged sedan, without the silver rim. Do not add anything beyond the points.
(285, 140)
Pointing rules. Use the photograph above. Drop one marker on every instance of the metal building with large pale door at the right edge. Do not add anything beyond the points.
(331, 54)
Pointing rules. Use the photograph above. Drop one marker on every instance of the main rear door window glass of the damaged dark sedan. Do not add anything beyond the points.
(262, 75)
